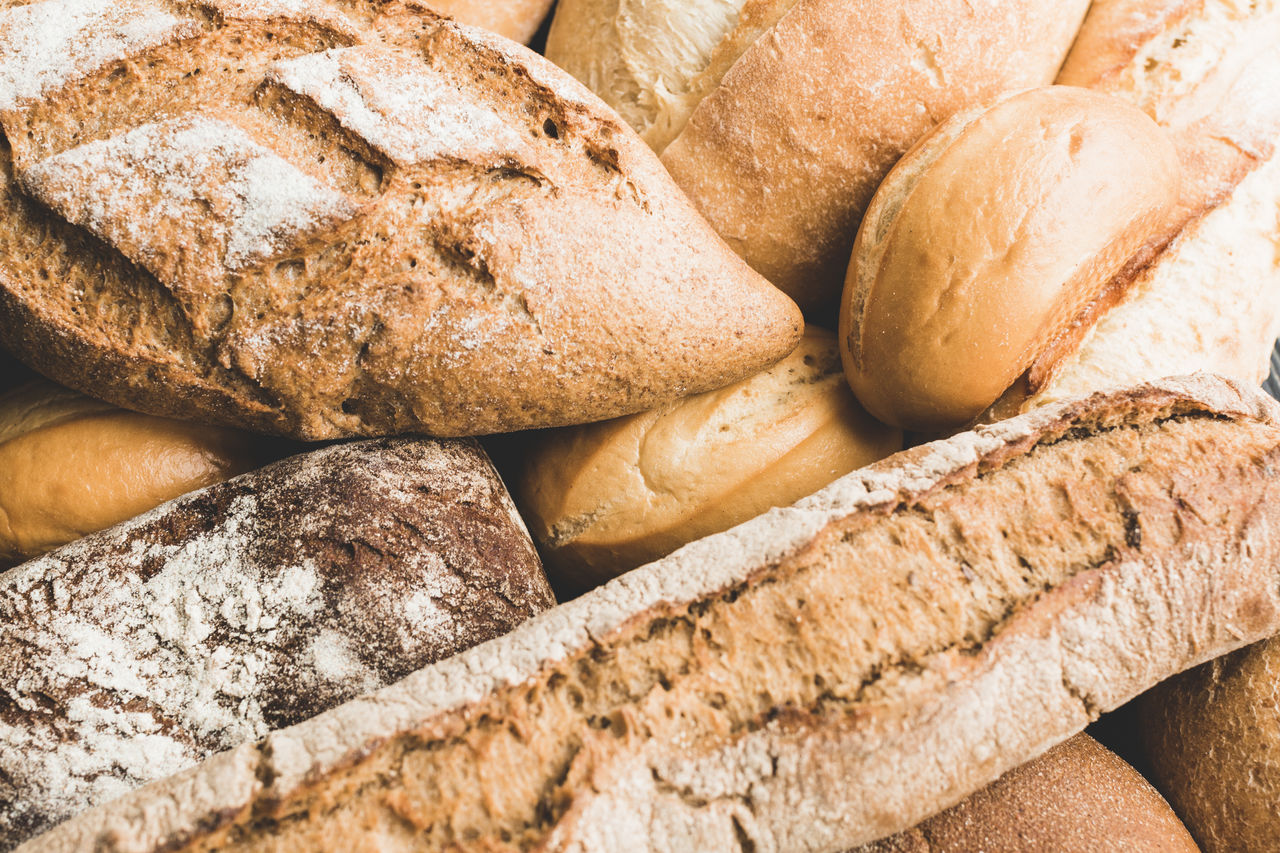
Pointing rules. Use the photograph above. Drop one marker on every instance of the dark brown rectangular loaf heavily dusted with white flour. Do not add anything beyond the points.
(245, 608)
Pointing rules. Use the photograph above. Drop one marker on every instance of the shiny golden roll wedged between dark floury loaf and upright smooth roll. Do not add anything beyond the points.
(605, 499)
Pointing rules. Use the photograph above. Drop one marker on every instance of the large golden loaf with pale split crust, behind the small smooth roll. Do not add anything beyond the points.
(784, 116)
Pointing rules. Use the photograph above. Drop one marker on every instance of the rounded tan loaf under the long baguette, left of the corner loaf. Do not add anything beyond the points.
(1077, 797)
